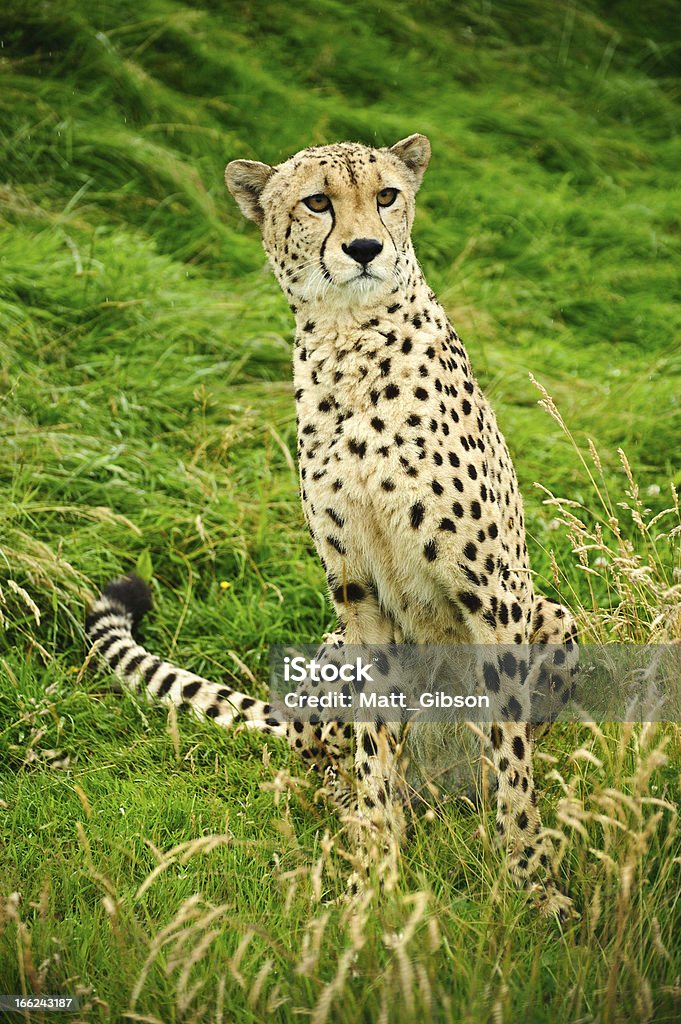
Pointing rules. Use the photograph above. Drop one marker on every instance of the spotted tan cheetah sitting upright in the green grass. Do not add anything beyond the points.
(408, 490)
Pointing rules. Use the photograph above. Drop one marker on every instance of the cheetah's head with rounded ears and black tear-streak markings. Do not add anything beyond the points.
(336, 221)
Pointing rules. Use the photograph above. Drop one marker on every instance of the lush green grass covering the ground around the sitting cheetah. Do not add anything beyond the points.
(147, 415)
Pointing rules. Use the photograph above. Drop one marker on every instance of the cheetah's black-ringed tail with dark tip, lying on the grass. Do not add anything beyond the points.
(110, 627)
